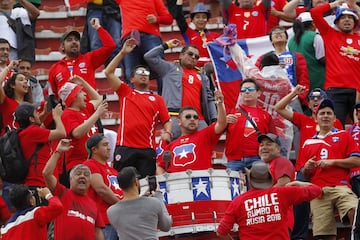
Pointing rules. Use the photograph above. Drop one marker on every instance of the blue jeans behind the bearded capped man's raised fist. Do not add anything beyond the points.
(112, 25)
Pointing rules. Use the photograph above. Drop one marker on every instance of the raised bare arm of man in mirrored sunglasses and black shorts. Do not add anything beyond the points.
(112, 79)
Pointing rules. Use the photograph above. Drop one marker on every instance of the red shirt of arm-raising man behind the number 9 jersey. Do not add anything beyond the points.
(307, 128)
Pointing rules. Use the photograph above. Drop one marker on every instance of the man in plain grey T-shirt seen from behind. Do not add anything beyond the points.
(138, 217)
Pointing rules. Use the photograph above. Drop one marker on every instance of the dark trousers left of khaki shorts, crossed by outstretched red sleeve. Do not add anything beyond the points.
(301, 215)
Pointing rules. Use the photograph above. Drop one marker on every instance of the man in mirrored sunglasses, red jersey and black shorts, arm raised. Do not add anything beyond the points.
(140, 112)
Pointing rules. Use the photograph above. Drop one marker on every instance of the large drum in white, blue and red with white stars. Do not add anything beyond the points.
(197, 200)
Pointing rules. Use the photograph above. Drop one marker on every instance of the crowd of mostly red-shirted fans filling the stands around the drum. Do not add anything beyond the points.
(300, 96)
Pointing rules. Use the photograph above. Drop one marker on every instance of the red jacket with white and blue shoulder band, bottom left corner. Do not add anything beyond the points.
(31, 223)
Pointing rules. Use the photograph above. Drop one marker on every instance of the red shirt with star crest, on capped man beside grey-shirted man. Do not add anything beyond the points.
(109, 175)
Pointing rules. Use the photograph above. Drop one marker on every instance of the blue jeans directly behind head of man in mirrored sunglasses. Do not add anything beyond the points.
(135, 58)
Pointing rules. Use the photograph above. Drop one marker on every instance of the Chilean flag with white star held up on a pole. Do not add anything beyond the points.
(226, 72)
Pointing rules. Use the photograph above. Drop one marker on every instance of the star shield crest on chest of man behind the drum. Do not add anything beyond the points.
(184, 155)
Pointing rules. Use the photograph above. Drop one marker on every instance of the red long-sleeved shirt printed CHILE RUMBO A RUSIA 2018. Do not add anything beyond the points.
(259, 212)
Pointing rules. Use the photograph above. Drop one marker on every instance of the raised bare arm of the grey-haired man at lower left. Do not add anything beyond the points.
(48, 172)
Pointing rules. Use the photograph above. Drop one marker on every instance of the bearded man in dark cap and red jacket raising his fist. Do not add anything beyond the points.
(75, 63)
